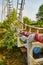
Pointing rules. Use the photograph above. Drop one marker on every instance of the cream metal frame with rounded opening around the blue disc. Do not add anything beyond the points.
(36, 53)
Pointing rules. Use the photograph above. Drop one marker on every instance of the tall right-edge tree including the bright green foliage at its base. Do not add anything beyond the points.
(39, 16)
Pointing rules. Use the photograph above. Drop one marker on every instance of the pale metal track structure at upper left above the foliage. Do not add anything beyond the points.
(7, 7)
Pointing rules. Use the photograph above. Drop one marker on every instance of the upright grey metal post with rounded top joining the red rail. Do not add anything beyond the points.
(30, 39)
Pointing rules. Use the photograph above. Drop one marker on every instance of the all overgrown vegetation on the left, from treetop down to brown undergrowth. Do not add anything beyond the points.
(8, 42)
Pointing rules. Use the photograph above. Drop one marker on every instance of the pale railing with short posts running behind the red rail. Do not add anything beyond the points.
(32, 29)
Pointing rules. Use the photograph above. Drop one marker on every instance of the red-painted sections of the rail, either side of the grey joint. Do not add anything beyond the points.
(38, 37)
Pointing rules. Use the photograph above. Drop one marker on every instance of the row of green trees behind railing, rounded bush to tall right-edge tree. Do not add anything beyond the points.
(39, 16)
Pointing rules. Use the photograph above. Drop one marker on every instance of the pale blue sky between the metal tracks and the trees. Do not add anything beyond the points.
(30, 9)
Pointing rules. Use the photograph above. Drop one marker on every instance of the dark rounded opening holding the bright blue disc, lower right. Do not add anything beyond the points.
(38, 52)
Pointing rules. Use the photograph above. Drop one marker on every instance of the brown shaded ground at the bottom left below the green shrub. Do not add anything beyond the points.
(13, 57)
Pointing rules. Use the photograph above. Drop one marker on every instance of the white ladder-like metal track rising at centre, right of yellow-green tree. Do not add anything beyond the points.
(20, 8)
